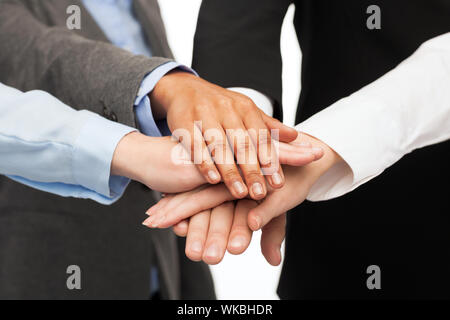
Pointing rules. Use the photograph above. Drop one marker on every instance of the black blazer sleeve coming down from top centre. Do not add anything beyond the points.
(237, 44)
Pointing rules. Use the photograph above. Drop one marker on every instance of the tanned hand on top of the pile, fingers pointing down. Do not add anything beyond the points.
(187, 99)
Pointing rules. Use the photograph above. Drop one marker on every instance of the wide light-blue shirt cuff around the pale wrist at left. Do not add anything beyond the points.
(92, 156)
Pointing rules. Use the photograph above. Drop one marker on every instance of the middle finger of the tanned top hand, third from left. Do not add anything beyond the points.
(246, 157)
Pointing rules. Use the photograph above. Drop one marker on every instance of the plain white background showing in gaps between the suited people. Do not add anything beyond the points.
(247, 276)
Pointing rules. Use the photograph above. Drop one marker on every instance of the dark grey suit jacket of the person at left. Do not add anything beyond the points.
(42, 234)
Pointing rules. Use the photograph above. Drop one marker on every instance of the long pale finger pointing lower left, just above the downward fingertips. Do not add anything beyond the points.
(186, 205)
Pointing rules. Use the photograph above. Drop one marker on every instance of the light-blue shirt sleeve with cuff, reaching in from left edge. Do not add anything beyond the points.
(71, 150)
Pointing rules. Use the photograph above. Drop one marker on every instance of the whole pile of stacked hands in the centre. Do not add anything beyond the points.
(224, 169)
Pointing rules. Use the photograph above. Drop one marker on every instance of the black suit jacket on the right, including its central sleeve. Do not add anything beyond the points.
(398, 221)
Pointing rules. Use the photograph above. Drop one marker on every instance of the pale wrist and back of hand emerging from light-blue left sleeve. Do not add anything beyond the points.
(154, 162)
